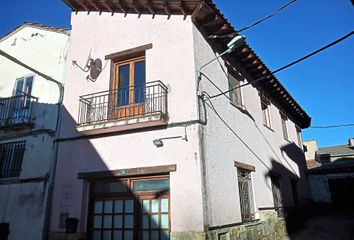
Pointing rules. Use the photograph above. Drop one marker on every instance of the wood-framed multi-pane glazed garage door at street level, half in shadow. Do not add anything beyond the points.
(132, 208)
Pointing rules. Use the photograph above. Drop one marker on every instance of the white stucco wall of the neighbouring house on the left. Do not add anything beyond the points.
(23, 199)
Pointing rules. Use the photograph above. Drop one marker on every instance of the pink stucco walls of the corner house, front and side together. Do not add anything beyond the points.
(203, 189)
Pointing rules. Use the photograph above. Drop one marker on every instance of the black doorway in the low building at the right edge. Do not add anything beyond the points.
(342, 192)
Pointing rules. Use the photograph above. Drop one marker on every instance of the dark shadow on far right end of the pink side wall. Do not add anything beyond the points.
(290, 191)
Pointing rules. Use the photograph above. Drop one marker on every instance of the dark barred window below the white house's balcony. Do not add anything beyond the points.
(11, 155)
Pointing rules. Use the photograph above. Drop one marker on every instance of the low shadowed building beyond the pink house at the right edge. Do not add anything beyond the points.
(331, 173)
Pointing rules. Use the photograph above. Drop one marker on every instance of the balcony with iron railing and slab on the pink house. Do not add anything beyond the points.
(133, 107)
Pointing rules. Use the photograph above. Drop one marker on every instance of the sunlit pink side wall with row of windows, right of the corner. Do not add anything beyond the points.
(254, 144)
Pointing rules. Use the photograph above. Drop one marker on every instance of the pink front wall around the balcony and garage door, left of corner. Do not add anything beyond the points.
(171, 61)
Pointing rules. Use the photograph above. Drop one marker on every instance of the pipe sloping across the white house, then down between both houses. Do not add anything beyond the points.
(55, 142)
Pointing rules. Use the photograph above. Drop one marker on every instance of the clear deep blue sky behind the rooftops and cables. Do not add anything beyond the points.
(323, 85)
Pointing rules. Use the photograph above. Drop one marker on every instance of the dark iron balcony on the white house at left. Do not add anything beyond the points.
(15, 111)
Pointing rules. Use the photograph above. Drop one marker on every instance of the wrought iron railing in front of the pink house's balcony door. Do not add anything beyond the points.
(123, 103)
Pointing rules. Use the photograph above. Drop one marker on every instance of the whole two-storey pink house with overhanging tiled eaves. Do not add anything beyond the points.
(142, 151)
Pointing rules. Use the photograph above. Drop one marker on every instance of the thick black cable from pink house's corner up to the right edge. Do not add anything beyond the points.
(288, 65)
